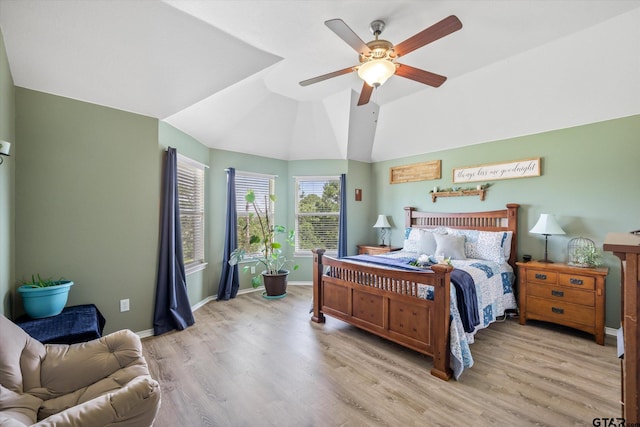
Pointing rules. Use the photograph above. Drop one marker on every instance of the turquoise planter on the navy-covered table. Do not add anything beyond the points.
(45, 302)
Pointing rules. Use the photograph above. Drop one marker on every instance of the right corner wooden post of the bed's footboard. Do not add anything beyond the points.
(441, 324)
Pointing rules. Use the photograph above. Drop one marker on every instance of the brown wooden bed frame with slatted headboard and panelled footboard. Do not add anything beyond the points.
(385, 302)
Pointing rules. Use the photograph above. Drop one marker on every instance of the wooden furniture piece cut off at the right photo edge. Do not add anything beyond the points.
(626, 246)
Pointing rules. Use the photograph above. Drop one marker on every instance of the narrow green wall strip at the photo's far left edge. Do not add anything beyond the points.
(7, 183)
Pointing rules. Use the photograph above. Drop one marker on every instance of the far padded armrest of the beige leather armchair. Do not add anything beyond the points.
(67, 368)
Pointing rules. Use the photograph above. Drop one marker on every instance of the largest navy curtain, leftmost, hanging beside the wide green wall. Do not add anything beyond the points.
(172, 309)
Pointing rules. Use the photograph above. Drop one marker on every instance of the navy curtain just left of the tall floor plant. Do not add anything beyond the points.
(229, 281)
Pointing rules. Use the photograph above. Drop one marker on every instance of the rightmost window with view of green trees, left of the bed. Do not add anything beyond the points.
(317, 213)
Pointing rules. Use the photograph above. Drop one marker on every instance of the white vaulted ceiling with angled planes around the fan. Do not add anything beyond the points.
(227, 72)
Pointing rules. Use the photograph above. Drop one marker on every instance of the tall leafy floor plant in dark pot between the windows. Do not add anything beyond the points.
(272, 261)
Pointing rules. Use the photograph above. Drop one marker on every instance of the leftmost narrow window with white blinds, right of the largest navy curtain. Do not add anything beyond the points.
(191, 201)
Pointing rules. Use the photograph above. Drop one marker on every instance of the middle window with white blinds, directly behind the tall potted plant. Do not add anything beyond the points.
(262, 186)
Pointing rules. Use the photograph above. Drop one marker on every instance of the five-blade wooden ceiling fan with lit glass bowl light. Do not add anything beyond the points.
(377, 57)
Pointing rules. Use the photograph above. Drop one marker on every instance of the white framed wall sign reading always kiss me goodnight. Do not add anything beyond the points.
(515, 169)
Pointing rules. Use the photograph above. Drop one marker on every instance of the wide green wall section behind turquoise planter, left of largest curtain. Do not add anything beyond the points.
(87, 202)
